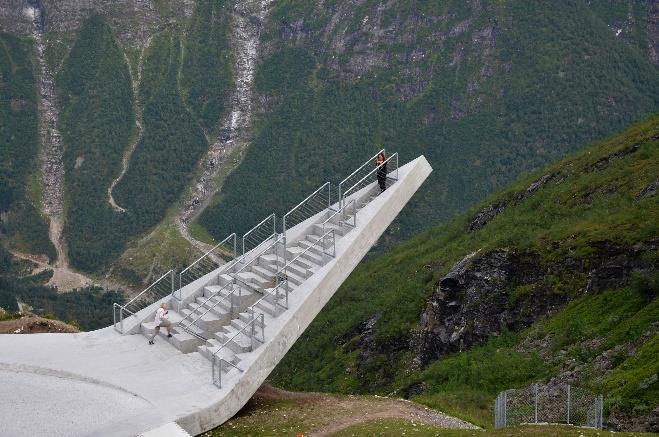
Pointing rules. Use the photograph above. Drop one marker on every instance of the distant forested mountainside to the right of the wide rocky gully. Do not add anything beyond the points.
(486, 90)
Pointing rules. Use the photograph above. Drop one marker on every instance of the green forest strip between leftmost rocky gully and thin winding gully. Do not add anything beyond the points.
(96, 122)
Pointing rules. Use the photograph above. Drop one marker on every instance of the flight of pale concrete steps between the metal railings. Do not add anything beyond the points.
(228, 334)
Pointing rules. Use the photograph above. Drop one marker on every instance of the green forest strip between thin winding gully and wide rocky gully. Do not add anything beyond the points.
(172, 142)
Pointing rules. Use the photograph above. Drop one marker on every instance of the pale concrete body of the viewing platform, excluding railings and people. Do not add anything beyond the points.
(105, 383)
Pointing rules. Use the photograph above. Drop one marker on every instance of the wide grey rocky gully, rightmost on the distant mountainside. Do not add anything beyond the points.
(235, 128)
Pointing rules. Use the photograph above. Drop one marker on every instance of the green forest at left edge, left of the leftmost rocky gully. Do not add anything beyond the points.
(19, 148)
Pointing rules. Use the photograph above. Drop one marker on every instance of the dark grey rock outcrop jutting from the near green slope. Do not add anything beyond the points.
(484, 294)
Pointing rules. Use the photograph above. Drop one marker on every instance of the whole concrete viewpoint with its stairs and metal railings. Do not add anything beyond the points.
(234, 321)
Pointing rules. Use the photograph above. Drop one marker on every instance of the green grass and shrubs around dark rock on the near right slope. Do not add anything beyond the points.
(594, 196)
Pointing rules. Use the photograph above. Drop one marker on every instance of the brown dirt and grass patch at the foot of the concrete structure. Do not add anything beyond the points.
(320, 414)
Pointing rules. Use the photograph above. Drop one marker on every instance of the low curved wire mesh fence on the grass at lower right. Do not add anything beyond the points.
(541, 403)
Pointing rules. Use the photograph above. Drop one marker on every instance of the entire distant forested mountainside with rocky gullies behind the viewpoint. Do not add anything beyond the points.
(150, 105)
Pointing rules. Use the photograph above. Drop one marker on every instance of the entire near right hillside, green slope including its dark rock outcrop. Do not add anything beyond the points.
(553, 279)
